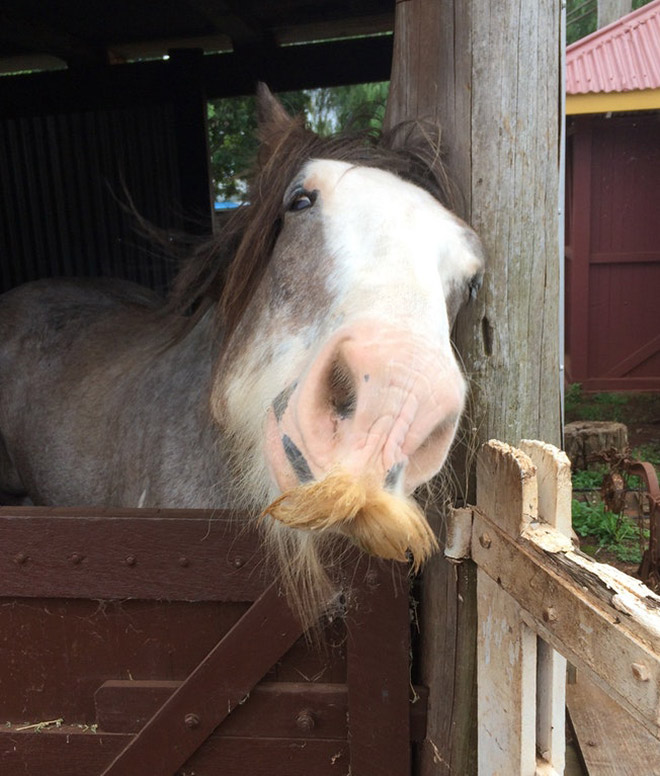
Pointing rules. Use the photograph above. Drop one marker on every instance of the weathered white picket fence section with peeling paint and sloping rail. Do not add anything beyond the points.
(537, 594)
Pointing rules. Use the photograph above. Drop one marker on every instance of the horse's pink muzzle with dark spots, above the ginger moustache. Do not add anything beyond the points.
(375, 402)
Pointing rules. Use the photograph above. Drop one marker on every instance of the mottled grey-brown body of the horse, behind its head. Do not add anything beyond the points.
(93, 412)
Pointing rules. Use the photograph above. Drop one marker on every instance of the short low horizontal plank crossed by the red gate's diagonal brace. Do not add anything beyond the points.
(275, 709)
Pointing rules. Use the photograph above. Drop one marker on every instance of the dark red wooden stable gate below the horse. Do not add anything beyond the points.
(155, 643)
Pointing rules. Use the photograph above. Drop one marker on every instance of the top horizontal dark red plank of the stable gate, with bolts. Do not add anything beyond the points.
(108, 554)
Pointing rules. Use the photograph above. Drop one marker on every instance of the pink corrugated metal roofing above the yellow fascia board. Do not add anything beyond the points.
(622, 57)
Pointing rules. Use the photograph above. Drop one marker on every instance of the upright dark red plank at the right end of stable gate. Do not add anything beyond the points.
(378, 670)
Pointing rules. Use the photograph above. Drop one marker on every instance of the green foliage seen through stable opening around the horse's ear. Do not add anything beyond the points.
(232, 126)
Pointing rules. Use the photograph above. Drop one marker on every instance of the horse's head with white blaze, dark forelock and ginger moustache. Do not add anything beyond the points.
(338, 383)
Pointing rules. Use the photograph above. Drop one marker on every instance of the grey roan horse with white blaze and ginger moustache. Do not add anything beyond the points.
(301, 367)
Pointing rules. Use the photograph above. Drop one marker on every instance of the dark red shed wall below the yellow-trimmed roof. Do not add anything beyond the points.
(613, 252)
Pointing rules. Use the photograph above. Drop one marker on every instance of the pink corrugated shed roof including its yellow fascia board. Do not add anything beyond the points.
(616, 68)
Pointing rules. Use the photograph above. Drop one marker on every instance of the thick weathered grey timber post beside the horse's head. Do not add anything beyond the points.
(489, 73)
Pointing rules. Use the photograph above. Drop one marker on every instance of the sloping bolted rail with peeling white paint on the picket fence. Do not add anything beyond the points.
(578, 607)
